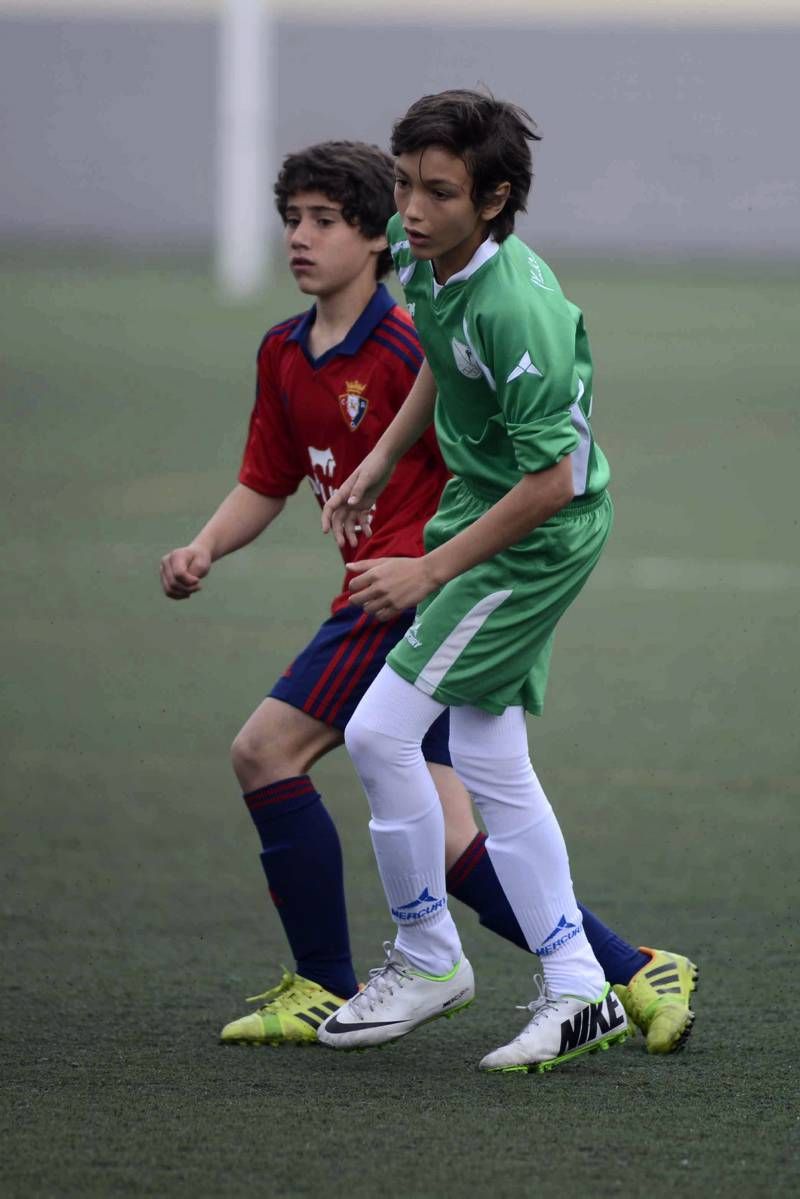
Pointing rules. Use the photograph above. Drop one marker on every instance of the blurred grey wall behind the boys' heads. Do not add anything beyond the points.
(669, 128)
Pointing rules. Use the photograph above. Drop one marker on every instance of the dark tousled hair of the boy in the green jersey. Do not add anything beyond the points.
(490, 136)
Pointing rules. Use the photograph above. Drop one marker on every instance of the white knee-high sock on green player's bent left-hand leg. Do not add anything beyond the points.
(384, 740)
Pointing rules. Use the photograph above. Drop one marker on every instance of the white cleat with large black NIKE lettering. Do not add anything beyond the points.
(563, 1027)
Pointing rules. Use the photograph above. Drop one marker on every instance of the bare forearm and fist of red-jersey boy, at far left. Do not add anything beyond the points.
(239, 520)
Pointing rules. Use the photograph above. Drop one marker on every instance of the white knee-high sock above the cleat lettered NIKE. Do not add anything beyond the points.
(526, 845)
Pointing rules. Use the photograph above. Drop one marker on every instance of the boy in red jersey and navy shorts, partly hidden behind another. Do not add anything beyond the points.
(330, 381)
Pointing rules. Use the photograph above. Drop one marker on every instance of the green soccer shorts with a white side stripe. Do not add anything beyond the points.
(486, 637)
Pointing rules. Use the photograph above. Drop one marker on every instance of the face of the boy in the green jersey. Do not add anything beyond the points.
(434, 192)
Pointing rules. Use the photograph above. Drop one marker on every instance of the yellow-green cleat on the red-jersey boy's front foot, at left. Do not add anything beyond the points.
(290, 1014)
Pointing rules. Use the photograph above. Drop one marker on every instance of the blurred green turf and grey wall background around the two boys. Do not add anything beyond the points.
(139, 144)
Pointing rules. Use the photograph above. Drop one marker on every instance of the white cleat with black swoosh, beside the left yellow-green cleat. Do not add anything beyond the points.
(396, 1001)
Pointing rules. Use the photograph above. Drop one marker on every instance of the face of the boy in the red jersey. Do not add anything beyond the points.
(326, 254)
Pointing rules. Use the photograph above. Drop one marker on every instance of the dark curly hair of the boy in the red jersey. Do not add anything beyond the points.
(357, 176)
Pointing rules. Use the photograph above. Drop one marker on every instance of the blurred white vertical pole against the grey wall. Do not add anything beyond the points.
(245, 158)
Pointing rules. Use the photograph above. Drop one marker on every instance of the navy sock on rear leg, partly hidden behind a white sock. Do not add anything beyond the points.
(473, 881)
